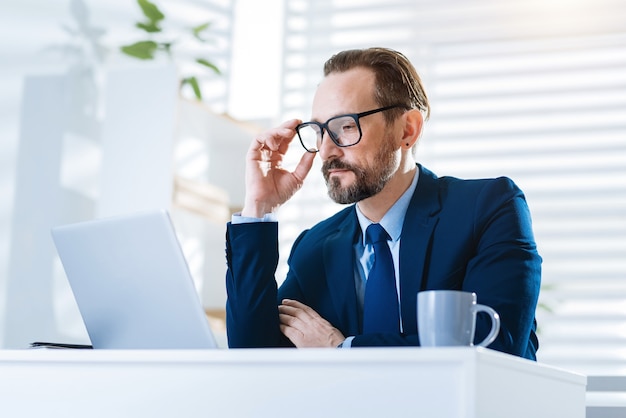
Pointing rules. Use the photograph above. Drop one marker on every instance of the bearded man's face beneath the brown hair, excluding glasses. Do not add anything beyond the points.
(360, 171)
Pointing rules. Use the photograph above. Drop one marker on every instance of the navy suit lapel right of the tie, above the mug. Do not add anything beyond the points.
(419, 224)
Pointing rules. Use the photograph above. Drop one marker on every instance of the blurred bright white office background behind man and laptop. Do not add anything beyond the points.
(531, 89)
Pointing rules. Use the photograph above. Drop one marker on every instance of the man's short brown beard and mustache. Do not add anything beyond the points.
(369, 180)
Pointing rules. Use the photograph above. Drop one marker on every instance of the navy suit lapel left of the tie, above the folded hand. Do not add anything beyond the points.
(339, 268)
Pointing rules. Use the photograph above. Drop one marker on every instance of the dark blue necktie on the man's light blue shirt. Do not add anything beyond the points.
(380, 309)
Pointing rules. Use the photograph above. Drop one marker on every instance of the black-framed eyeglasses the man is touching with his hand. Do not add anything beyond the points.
(344, 130)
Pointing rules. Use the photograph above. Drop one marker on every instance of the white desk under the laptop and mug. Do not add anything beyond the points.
(389, 382)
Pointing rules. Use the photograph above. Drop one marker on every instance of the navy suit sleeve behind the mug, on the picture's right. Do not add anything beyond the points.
(505, 271)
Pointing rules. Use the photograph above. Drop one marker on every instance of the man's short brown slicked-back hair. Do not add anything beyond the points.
(397, 81)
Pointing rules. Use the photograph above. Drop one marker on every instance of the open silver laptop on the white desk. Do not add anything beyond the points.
(132, 284)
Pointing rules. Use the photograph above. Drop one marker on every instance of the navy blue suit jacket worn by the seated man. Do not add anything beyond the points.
(472, 235)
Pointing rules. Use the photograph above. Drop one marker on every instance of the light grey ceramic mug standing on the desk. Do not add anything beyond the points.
(448, 318)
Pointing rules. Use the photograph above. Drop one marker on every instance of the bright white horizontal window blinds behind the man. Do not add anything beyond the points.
(532, 90)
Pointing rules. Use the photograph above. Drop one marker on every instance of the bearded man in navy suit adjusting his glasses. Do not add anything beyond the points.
(441, 233)
